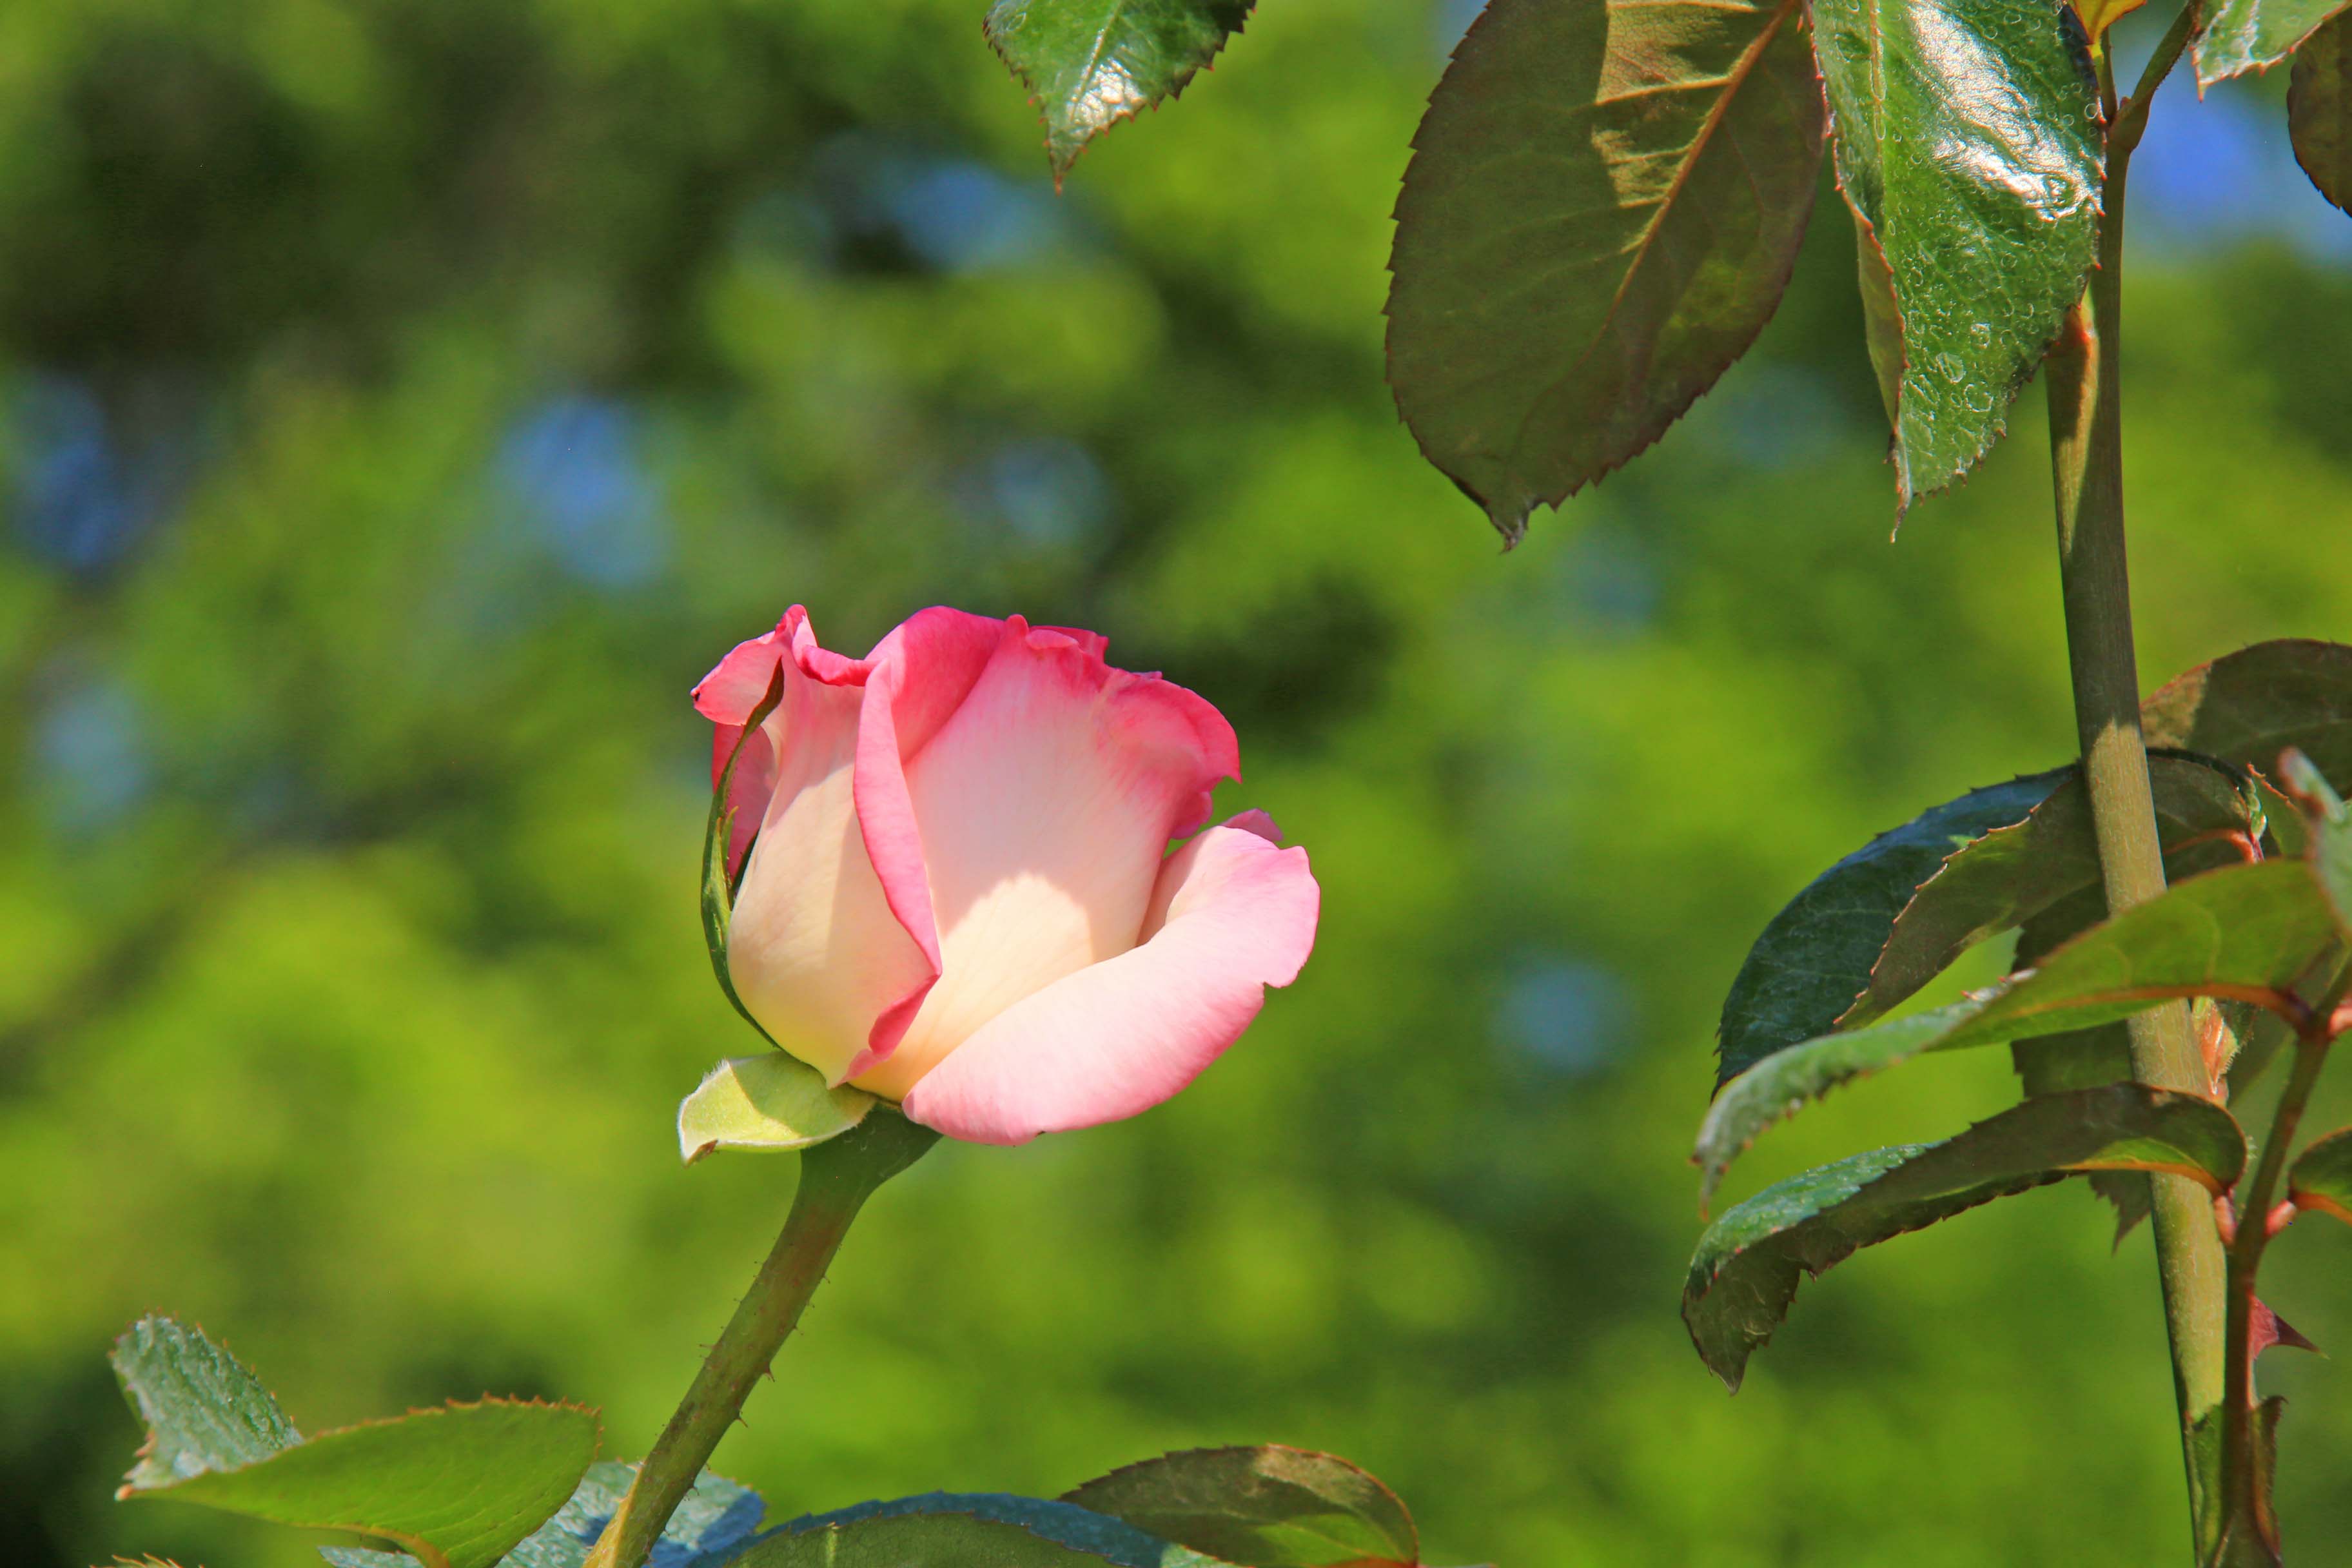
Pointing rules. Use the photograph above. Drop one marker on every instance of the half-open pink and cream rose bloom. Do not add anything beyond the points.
(961, 892)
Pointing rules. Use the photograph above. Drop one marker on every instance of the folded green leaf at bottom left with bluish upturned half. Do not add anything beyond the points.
(457, 1487)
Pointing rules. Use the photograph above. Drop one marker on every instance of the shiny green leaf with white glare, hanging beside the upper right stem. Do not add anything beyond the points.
(1967, 142)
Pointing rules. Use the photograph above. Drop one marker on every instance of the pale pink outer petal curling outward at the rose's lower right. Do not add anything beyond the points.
(1125, 1036)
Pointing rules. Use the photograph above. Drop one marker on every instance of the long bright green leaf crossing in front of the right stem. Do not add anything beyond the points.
(2252, 927)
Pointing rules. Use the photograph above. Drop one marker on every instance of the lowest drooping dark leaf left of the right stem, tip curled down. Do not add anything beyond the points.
(1751, 1261)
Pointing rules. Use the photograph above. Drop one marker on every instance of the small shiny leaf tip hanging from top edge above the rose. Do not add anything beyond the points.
(1090, 65)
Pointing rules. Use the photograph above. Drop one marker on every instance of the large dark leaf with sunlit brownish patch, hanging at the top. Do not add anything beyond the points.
(1603, 210)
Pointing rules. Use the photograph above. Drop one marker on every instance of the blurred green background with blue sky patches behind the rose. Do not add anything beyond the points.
(406, 401)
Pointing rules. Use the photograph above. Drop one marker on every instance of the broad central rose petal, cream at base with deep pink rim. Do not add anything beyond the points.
(1041, 815)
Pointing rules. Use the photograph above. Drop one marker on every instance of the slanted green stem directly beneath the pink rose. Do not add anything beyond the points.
(836, 1179)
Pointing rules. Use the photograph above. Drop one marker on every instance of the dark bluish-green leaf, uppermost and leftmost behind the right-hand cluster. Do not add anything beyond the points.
(1817, 953)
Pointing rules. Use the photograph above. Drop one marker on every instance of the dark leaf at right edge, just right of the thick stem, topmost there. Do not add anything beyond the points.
(2254, 704)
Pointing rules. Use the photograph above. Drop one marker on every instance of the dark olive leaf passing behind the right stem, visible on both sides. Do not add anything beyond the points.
(2019, 871)
